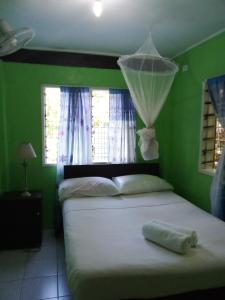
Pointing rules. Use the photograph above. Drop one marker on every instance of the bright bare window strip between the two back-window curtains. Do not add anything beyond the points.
(100, 124)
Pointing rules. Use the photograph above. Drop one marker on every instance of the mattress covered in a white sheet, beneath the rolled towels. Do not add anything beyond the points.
(107, 257)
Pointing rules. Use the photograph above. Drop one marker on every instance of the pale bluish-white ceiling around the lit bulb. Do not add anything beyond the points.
(70, 25)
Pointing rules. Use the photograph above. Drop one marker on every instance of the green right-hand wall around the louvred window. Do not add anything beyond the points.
(185, 100)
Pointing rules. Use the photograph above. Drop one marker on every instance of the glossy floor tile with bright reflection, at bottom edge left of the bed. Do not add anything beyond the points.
(39, 288)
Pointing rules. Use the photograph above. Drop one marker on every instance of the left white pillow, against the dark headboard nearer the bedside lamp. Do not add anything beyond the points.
(87, 186)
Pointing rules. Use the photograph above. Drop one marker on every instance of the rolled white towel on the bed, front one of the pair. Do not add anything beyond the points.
(167, 237)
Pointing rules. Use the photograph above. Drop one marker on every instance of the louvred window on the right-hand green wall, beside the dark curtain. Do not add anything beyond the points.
(213, 135)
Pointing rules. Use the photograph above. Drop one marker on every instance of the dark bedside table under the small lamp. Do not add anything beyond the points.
(20, 220)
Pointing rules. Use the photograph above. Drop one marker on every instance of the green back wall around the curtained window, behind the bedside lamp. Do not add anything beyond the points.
(23, 121)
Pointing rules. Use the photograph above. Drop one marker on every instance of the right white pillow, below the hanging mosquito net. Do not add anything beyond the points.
(141, 183)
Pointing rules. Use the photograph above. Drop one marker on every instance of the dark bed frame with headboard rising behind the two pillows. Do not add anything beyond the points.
(112, 170)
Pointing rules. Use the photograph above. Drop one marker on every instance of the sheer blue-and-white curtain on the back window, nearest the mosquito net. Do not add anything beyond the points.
(122, 127)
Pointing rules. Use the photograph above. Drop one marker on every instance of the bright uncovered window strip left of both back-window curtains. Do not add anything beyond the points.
(51, 123)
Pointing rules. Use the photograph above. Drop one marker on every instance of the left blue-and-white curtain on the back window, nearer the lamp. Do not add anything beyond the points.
(74, 146)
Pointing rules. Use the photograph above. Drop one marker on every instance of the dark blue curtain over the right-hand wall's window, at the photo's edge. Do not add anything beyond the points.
(216, 87)
